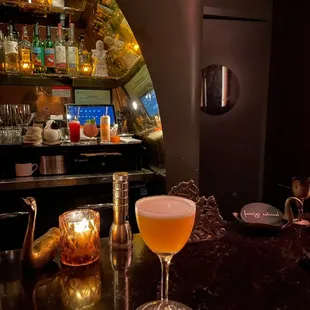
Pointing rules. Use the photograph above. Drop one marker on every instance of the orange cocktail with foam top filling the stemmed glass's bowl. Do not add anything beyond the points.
(165, 222)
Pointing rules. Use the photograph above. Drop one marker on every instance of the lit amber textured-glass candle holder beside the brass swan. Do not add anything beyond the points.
(79, 237)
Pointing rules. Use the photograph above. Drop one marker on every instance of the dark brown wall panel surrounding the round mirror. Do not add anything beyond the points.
(232, 144)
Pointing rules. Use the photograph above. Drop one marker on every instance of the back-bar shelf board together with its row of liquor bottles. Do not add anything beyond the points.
(24, 61)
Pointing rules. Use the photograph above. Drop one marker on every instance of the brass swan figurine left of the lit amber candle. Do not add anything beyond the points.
(36, 254)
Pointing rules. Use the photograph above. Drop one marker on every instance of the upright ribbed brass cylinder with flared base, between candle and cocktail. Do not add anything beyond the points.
(120, 231)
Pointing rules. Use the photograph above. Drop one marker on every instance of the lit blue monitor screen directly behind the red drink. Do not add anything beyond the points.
(85, 112)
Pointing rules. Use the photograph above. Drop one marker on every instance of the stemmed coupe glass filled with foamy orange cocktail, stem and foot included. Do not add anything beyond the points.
(165, 224)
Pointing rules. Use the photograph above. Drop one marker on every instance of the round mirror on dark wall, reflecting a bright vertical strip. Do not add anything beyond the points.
(220, 90)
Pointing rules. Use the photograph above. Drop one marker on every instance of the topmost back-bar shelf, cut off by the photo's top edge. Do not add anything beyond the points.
(47, 6)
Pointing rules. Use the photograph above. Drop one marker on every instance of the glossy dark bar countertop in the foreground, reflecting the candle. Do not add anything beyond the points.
(243, 270)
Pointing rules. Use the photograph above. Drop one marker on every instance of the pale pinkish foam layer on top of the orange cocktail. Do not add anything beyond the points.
(170, 207)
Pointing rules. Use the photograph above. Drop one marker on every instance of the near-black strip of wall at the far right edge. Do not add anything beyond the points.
(287, 144)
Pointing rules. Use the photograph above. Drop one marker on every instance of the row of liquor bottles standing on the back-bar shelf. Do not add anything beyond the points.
(22, 56)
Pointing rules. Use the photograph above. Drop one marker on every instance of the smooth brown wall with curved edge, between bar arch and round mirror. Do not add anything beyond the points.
(169, 34)
